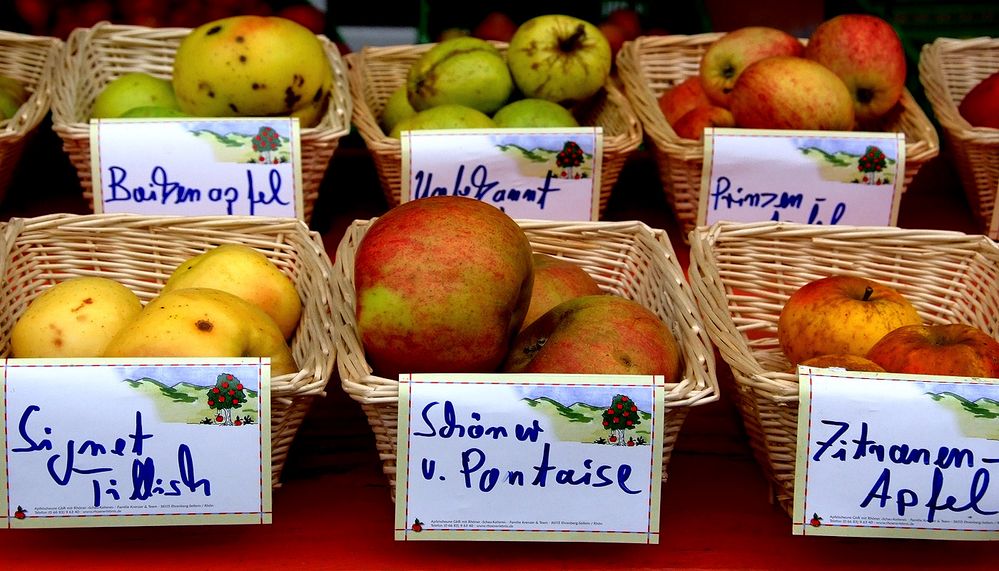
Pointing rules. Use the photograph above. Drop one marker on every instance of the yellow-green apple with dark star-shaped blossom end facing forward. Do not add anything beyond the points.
(560, 58)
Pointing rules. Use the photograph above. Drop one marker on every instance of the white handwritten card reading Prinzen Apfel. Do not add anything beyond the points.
(812, 177)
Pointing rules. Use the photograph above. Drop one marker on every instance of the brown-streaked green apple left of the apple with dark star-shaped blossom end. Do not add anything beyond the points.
(464, 71)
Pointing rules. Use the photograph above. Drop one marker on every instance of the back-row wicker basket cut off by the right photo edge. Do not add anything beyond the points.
(948, 69)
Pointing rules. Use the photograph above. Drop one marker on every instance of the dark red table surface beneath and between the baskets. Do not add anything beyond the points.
(333, 510)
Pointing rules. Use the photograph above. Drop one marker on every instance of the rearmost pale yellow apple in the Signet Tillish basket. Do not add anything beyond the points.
(248, 273)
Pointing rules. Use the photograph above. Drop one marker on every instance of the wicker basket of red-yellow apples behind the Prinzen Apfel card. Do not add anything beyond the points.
(649, 65)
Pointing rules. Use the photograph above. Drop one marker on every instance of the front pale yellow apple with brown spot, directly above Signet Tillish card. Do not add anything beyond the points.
(203, 322)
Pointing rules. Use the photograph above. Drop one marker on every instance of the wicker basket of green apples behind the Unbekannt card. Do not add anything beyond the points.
(375, 73)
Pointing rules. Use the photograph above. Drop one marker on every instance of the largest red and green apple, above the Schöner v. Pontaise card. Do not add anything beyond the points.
(442, 285)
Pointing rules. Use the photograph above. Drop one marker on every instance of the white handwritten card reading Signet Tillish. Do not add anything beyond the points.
(98, 442)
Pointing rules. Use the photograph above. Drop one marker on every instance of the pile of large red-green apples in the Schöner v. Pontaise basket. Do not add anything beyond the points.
(450, 284)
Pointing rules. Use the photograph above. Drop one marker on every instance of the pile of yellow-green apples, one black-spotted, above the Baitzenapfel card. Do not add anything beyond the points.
(241, 66)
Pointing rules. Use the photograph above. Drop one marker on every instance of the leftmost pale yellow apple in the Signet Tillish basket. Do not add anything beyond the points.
(74, 318)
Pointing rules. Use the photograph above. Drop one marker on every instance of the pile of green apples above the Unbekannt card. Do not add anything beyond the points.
(552, 62)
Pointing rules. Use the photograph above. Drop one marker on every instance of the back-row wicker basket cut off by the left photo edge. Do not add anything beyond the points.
(31, 60)
